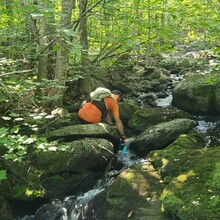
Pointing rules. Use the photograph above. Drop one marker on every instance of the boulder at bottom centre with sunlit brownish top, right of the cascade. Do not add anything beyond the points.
(133, 195)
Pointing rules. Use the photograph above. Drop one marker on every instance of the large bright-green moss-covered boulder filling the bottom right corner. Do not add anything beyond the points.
(192, 175)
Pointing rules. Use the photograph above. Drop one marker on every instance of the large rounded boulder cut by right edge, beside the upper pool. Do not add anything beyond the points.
(198, 94)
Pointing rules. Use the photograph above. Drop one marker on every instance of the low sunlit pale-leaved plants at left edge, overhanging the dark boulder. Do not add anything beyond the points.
(17, 145)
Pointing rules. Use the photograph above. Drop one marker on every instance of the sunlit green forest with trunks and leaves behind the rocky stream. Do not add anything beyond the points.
(47, 44)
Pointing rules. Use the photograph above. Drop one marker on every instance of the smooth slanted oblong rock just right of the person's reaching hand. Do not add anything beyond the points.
(161, 135)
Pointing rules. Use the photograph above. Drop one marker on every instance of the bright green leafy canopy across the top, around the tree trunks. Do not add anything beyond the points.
(113, 27)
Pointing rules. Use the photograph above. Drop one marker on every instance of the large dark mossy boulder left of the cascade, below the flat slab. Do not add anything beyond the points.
(56, 173)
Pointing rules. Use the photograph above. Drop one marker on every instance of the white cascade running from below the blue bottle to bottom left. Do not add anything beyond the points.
(71, 207)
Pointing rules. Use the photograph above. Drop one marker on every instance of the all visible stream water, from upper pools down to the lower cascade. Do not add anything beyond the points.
(71, 207)
